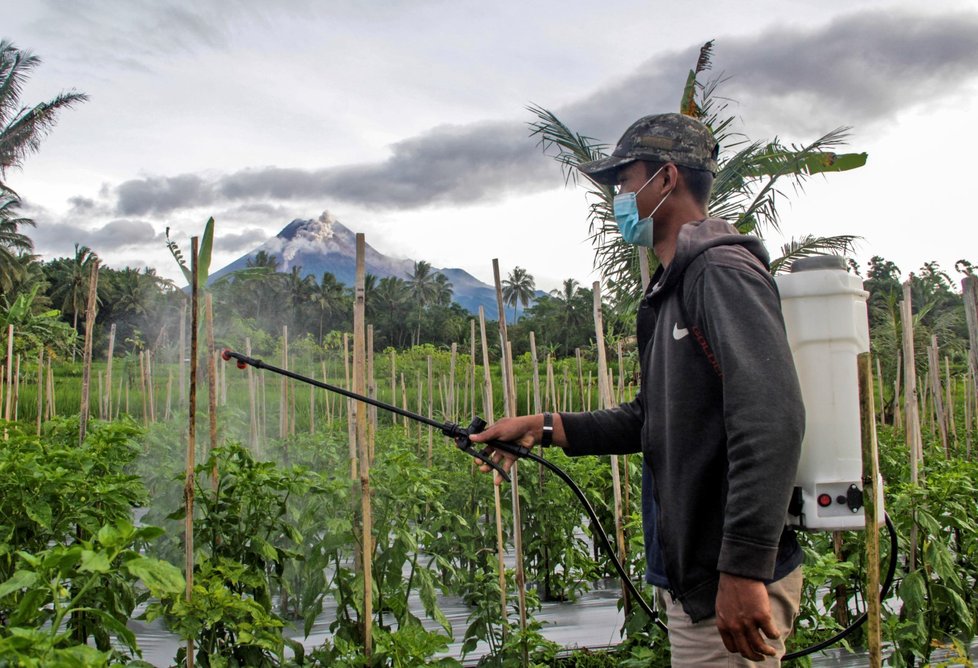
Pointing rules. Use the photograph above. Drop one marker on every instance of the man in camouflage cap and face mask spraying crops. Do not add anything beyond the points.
(719, 417)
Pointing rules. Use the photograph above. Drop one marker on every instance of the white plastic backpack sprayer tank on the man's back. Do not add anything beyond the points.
(825, 316)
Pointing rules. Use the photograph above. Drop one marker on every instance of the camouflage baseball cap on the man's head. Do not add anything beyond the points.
(675, 138)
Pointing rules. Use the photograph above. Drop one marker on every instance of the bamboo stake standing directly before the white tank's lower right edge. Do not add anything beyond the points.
(871, 492)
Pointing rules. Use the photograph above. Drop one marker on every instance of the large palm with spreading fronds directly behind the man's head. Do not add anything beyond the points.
(745, 191)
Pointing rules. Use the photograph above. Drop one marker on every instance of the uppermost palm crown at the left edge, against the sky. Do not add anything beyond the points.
(21, 127)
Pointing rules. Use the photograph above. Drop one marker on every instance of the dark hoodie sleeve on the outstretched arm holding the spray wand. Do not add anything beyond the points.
(615, 431)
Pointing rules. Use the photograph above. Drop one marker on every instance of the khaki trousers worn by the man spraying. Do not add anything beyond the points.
(700, 644)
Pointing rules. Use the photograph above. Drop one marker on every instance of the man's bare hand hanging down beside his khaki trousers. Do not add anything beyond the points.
(743, 611)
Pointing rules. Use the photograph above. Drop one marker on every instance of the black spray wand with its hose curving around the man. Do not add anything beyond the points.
(519, 452)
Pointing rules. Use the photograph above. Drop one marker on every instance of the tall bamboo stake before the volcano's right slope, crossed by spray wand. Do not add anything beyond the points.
(360, 381)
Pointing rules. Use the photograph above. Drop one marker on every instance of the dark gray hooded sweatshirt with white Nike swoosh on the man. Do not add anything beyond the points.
(719, 418)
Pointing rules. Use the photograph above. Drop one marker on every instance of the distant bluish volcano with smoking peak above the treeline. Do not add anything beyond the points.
(326, 244)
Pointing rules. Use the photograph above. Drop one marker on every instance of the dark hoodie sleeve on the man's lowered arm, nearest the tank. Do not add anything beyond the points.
(763, 413)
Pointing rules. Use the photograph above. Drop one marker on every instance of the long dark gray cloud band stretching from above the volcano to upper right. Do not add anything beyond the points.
(857, 70)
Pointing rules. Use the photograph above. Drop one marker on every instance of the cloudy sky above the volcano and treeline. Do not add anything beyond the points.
(407, 120)
